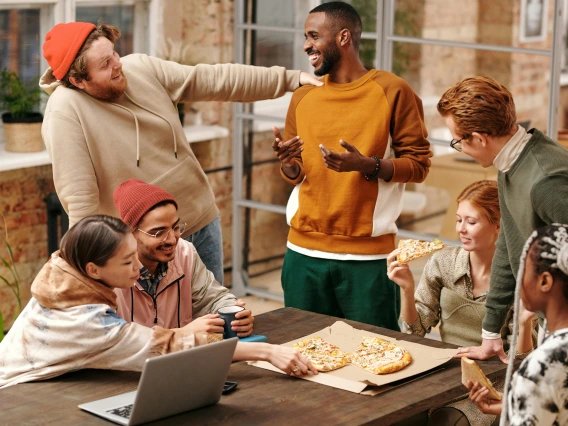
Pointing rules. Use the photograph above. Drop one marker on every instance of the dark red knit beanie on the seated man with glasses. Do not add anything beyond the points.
(134, 198)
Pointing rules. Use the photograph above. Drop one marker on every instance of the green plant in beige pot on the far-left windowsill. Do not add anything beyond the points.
(22, 122)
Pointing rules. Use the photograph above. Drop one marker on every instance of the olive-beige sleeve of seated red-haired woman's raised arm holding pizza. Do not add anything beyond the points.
(427, 299)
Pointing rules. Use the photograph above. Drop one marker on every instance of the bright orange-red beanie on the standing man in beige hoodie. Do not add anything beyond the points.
(63, 43)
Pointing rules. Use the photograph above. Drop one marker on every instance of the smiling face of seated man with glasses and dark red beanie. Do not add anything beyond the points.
(152, 250)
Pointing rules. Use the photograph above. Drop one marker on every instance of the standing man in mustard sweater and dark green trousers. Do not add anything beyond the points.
(349, 147)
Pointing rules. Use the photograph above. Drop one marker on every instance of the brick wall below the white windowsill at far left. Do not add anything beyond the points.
(21, 202)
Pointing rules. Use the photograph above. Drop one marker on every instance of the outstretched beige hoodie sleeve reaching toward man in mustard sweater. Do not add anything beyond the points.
(221, 82)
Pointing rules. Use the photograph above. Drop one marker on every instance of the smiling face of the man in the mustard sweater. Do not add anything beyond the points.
(320, 44)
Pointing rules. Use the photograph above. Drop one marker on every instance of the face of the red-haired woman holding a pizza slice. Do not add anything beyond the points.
(475, 231)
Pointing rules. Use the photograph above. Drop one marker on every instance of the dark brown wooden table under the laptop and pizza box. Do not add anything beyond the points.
(262, 396)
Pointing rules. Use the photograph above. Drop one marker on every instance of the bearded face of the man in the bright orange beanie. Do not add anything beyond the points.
(106, 79)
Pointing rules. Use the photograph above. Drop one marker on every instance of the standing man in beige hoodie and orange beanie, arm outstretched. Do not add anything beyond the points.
(109, 119)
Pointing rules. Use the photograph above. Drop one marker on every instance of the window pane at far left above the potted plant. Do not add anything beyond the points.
(19, 42)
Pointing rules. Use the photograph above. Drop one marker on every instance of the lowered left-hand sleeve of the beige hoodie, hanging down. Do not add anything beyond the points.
(73, 172)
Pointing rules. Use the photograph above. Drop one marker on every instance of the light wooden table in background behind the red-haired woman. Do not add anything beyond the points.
(452, 173)
